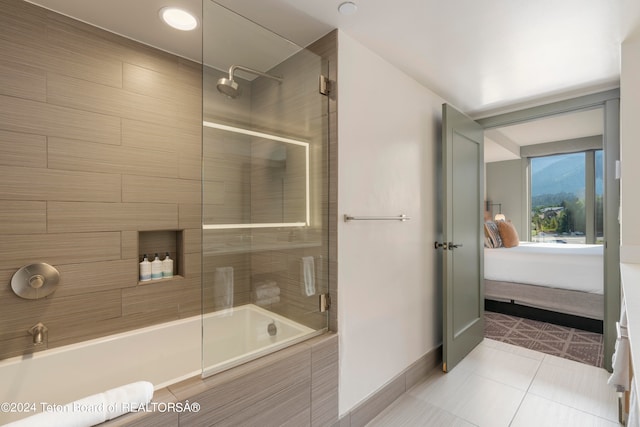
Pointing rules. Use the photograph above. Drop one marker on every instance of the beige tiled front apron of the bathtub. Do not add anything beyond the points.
(297, 386)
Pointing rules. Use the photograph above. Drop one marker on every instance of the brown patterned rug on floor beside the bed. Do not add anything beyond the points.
(561, 341)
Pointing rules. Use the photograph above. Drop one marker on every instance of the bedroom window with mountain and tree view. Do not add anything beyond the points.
(567, 198)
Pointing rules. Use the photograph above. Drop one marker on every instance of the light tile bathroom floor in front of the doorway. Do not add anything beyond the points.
(499, 384)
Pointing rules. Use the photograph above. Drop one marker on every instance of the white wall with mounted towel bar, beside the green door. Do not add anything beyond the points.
(389, 313)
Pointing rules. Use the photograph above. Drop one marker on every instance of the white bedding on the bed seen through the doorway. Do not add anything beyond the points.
(567, 266)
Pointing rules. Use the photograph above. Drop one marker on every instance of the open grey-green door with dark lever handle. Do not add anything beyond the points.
(463, 282)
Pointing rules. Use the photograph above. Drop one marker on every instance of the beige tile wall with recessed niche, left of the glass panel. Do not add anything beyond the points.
(100, 138)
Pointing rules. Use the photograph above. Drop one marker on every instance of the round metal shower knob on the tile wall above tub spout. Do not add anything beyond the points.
(35, 281)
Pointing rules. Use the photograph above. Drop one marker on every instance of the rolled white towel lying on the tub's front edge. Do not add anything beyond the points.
(94, 409)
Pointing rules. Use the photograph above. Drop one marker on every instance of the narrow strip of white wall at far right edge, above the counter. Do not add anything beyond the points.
(630, 148)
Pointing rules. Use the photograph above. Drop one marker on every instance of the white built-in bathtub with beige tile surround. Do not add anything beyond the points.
(162, 354)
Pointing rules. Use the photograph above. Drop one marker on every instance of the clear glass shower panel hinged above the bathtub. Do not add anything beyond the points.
(264, 191)
